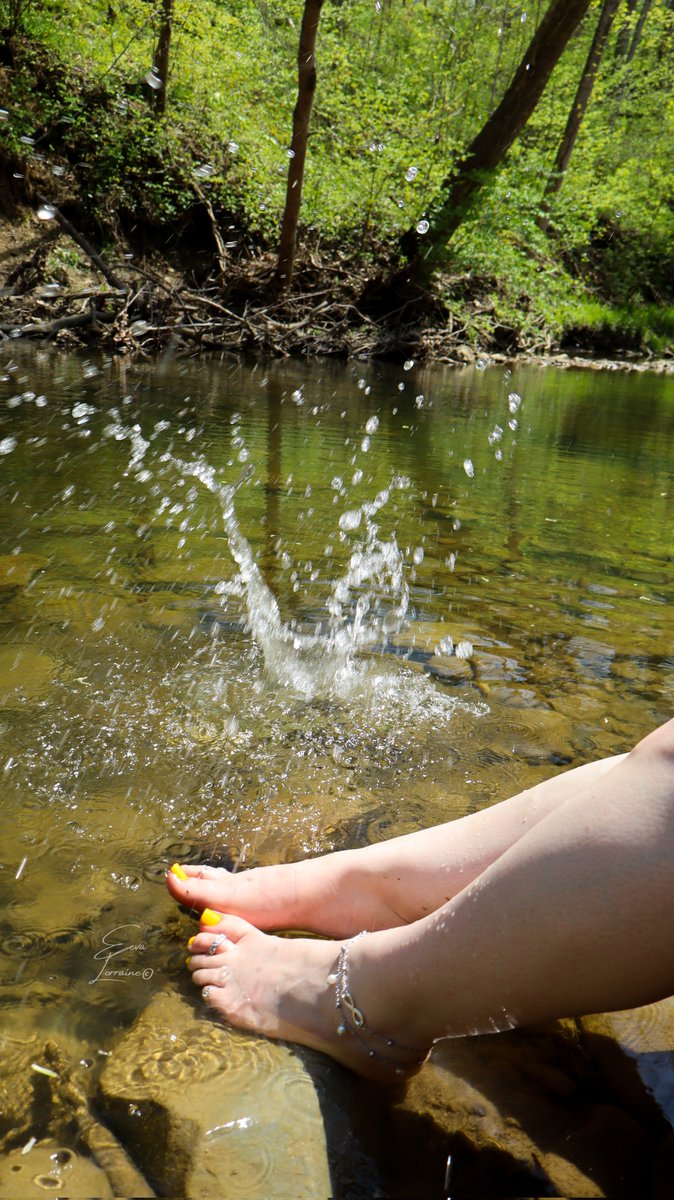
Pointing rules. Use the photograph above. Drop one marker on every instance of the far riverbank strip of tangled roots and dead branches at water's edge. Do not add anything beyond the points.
(56, 287)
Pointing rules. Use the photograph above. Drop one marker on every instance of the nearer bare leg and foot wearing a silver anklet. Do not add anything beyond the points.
(575, 917)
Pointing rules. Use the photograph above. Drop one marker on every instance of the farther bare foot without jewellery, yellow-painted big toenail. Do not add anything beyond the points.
(318, 896)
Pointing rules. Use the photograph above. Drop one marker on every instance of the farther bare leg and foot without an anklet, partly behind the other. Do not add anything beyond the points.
(382, 886)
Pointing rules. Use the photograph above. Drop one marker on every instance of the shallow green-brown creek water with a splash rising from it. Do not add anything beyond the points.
(255, 614)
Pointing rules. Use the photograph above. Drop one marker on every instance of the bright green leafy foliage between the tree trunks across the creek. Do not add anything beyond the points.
(402, 89)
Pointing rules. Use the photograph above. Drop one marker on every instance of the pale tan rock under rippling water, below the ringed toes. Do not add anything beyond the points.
(207, 1112)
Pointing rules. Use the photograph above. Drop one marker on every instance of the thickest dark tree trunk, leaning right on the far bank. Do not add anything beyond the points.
(489, 149)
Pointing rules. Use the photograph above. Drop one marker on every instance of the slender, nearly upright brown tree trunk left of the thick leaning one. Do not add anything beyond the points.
(306, 89)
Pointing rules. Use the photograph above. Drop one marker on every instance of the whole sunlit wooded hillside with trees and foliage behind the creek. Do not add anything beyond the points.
(167, 130)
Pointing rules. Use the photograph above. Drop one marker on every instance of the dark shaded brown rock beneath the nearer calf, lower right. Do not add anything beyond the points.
(525, 1113)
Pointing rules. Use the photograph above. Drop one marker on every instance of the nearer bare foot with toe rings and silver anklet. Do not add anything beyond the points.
(286, 988)
